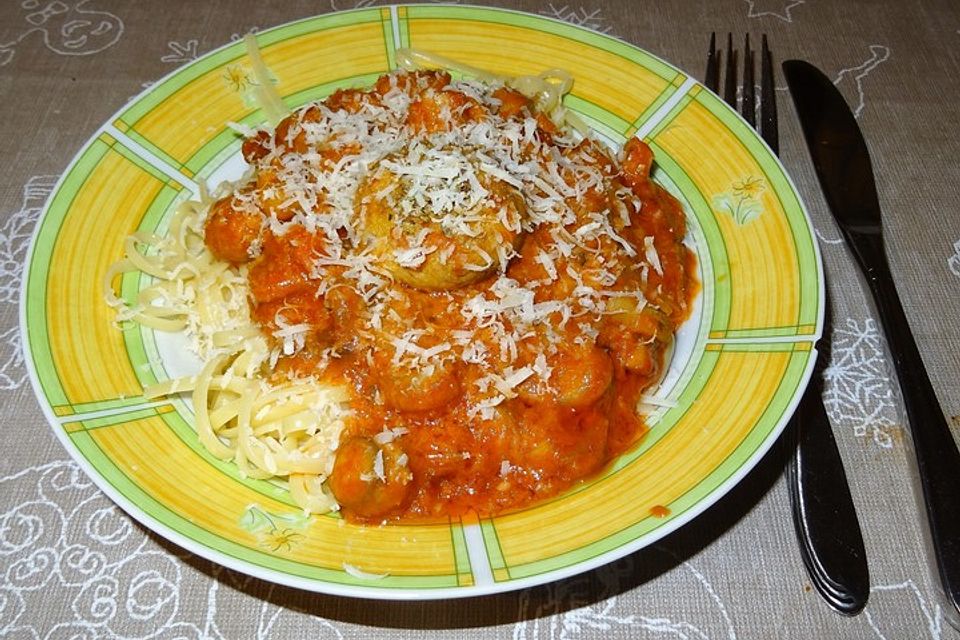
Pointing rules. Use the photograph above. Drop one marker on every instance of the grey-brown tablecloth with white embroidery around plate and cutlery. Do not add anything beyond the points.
(735, 572)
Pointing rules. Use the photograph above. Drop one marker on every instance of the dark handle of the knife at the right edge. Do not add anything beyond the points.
(938, 460)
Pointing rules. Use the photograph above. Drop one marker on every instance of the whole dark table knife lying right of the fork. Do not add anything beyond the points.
(842, 163)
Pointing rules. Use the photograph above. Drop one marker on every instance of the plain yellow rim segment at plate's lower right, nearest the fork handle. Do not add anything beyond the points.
(711, 430)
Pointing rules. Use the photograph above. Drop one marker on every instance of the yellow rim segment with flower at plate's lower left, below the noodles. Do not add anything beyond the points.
(160, 464)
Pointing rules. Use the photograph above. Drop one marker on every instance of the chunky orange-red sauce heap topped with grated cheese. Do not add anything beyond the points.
(496, 292)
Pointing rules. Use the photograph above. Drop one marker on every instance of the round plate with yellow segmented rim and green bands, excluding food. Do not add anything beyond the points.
(739, 368)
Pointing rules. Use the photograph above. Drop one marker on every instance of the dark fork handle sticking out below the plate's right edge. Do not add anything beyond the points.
(824, 515)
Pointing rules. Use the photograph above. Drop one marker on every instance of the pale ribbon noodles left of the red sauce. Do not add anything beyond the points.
(270, 428)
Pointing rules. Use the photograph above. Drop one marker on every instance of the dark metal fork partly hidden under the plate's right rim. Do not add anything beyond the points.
(824, 516)
